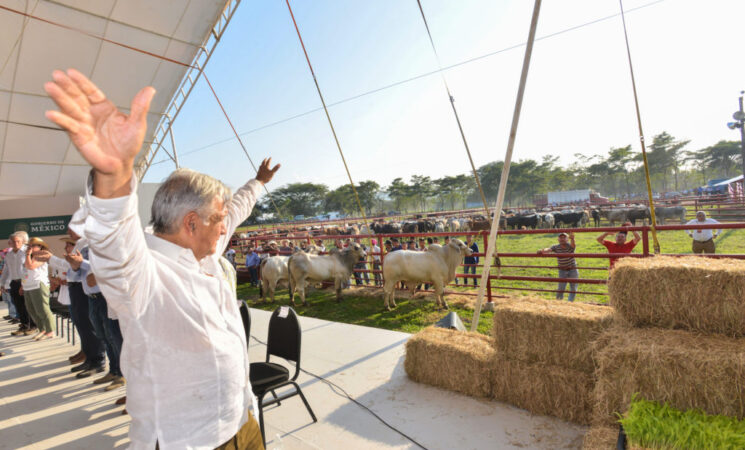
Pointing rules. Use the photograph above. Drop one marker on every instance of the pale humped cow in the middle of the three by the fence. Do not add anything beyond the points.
(338, 266)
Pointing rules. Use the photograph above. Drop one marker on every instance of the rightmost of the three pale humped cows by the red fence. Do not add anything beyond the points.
(437, 266)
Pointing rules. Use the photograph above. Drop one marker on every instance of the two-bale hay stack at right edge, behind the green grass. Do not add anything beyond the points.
(691, 353)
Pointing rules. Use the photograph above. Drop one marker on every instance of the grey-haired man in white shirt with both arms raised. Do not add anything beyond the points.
(185, 354)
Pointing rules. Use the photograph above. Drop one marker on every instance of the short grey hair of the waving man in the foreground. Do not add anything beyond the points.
(184, 191)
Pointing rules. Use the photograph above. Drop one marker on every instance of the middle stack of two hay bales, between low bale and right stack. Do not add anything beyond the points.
(543, 361)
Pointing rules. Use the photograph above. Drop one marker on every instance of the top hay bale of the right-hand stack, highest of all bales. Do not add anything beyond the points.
(691, 293)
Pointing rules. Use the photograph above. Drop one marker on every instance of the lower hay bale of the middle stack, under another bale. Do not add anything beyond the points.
(546, 390)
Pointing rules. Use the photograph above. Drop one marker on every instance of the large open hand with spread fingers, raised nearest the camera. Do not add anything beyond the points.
(107, 138)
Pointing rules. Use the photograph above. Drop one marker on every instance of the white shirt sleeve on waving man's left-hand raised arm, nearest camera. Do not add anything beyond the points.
(118, 253)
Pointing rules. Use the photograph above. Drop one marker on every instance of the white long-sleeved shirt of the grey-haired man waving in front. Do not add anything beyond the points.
(184, 355)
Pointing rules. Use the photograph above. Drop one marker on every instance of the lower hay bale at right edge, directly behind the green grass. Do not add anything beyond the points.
(687, 370)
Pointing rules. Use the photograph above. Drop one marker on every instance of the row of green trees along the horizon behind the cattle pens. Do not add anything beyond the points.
(617, 174)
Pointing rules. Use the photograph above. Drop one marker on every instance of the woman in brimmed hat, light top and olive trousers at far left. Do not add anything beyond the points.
(36, 290)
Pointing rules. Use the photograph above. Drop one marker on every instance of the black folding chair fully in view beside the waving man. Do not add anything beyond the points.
(283, 341)
